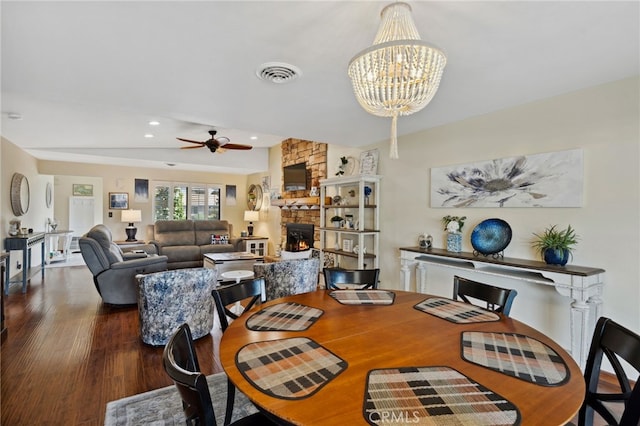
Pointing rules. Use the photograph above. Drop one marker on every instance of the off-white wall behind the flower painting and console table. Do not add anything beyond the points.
(602, 121)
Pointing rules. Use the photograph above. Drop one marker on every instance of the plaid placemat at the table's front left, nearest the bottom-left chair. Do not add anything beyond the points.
(288, 368)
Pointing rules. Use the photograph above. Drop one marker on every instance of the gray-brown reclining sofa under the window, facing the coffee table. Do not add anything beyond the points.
(184, 242)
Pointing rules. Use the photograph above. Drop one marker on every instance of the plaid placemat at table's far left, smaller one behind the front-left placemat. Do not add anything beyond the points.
(284, 317)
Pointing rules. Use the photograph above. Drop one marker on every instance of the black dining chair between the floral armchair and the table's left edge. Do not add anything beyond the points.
(253, 290)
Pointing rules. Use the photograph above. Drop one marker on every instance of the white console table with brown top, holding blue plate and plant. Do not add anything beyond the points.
(582, 284)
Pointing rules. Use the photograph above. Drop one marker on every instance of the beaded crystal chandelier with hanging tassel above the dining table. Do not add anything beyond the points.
(399, 73)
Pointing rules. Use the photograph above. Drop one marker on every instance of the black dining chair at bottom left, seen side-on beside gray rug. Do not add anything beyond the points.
(181, 364)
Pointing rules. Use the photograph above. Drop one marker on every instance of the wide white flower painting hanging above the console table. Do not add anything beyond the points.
(540, 180)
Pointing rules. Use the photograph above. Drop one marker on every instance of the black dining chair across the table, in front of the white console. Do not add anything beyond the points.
(497, 299)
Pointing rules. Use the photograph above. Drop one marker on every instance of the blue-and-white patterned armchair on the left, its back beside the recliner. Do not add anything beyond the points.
(170, 298)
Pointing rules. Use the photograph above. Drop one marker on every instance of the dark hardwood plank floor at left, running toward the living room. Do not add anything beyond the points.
(67, 355)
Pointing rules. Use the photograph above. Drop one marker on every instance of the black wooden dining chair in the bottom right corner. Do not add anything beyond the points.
(616, 342)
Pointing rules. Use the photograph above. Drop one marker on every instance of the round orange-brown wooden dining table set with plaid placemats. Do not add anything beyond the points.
(395, 336)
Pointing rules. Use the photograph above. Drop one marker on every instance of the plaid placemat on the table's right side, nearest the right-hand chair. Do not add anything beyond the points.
(516, 355)
